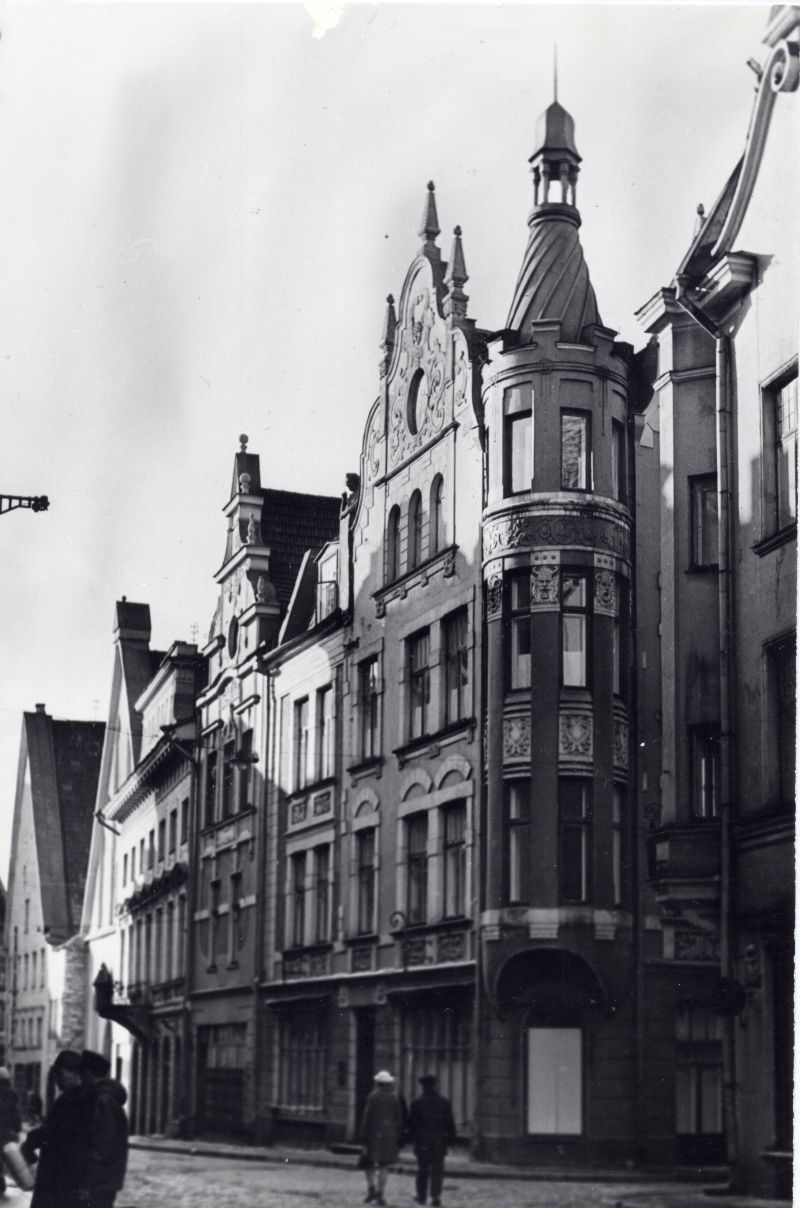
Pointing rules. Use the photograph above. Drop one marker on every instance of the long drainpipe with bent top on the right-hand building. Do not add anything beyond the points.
(726, 521)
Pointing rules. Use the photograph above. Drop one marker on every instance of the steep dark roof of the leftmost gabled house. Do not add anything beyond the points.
(63, 760)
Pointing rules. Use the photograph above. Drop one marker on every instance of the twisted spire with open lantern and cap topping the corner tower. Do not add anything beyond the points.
(554, 281)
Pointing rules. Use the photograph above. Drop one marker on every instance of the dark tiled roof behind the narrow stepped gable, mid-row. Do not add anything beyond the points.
(293, 524)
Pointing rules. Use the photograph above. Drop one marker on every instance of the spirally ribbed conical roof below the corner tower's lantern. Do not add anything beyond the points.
(554, 280)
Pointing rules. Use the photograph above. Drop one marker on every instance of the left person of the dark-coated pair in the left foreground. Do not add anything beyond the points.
(62, 1140)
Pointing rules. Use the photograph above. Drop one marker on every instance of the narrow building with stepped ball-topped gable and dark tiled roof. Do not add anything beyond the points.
(263, 579)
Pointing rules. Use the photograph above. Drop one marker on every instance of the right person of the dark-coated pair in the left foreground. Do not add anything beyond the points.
(107, 1152)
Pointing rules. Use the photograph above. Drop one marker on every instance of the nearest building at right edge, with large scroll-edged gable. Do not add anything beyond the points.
(718, 651)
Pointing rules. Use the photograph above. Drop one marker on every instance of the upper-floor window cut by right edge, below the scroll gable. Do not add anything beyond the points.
(780, 460)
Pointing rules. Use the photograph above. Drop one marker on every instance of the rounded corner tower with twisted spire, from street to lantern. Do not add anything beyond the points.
(556, 955)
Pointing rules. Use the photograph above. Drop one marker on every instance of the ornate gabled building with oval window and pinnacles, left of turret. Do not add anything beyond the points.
(374, 838)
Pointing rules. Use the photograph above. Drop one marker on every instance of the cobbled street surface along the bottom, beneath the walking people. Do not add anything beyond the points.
(185, 1180)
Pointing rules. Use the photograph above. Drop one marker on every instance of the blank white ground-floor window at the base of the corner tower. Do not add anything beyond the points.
(555, 1082)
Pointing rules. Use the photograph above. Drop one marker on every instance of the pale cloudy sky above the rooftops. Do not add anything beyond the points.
(204, 208)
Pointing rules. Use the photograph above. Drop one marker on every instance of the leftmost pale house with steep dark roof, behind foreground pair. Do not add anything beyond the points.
(57, 780)
